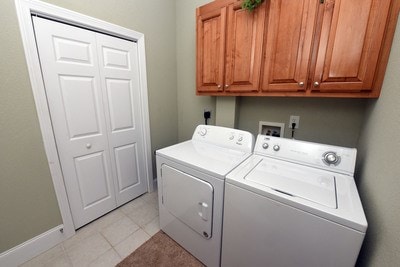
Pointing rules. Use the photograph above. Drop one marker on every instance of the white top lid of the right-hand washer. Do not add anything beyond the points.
(295, 180)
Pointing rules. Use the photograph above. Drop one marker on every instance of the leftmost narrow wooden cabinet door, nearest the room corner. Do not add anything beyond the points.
(211, 25)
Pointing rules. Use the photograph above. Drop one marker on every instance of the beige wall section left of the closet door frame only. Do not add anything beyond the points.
(28, 205)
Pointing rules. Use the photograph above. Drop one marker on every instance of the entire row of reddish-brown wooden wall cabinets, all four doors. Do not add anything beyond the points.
(338, 48)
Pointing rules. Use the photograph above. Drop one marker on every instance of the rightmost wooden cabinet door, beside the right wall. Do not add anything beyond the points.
(349, 44)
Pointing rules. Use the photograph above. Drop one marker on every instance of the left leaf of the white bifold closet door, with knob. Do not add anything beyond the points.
(73, 87)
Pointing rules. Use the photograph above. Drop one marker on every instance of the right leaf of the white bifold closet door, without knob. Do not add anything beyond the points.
(120, 78)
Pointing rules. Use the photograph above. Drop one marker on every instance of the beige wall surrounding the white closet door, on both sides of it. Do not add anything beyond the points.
(28, 206)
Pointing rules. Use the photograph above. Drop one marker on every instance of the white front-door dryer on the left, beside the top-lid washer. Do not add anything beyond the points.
(190, 177)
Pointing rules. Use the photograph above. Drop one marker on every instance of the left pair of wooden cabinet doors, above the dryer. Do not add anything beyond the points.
(229, 45)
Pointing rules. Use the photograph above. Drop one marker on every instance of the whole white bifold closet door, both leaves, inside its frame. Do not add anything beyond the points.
(92, 87)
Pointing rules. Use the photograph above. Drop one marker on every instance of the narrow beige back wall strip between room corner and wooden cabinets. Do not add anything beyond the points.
(190, 106)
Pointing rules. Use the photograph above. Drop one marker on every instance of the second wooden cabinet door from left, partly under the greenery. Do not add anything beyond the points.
(244, 48)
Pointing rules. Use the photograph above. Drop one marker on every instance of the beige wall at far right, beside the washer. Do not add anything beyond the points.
(378, 170)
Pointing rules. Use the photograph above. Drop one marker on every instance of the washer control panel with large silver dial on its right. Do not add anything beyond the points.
(333, 158)
